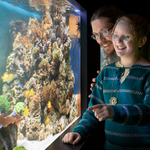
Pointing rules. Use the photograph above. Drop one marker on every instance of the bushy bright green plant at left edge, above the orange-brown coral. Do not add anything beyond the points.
(4, 104)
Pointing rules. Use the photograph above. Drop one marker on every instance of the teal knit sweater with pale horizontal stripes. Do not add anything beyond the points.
(130, 126)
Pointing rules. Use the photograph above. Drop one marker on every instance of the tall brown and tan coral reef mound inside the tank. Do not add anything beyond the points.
(39, 81)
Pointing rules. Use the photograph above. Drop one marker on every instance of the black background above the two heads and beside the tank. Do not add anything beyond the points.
(141, 7)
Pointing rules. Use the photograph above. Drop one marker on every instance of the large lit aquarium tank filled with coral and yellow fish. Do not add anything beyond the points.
(40, 69)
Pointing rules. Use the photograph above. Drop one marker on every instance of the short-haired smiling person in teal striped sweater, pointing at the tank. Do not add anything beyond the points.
(121, 95)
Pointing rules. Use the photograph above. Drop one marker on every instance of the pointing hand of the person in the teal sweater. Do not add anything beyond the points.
(102, 111)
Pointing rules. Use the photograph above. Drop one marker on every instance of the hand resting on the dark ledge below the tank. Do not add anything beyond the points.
(72, 138)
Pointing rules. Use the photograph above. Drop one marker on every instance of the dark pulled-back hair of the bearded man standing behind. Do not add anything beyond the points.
(109, 11)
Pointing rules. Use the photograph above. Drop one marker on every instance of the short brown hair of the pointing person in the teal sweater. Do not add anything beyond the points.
(139, 25)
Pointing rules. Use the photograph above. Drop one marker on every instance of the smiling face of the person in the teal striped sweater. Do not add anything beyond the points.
(123, 48)
